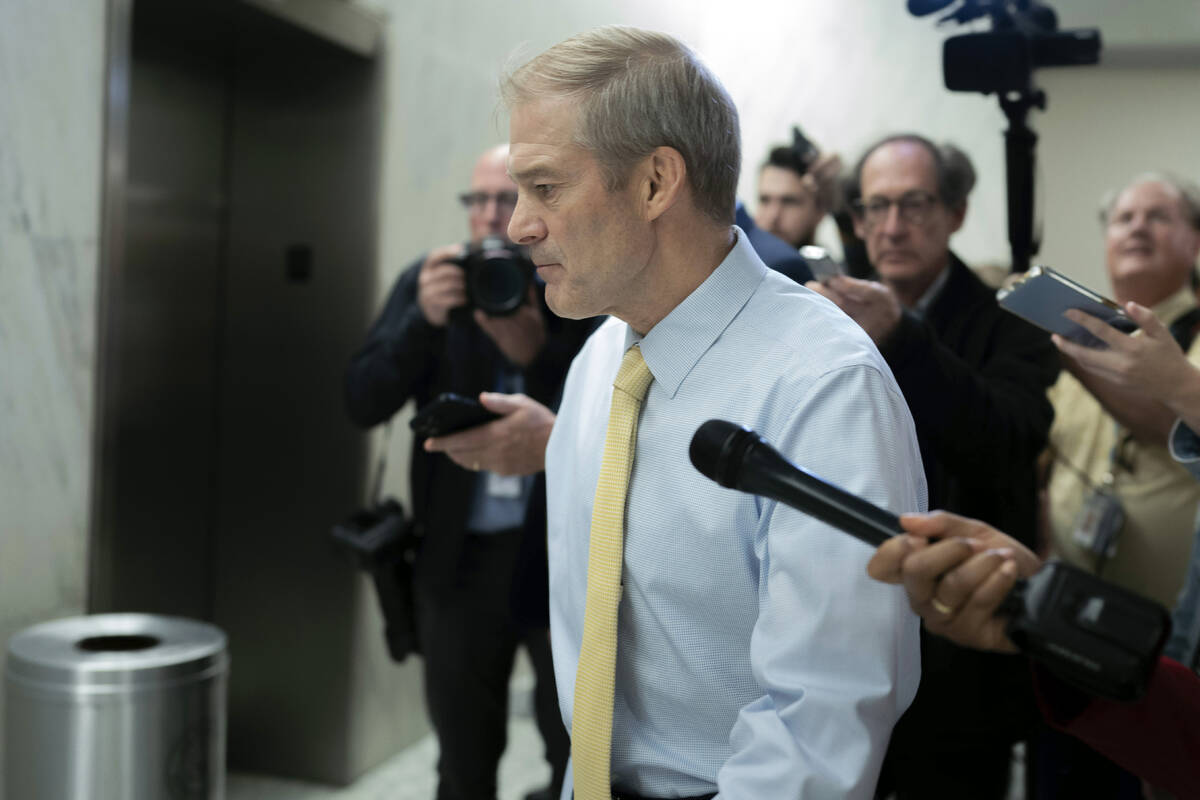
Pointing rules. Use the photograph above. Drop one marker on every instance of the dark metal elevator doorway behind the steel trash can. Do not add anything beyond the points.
(248, 280)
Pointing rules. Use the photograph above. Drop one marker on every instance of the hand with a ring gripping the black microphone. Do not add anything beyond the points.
(958, 584)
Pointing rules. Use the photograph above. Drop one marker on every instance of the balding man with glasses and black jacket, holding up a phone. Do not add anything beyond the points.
(975, 378)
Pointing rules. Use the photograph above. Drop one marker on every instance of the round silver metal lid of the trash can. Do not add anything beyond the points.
(116, 651)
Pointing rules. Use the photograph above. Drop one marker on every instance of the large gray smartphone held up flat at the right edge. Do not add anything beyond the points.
(1043, 294)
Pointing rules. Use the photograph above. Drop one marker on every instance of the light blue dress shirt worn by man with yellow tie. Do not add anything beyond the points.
(754, 655)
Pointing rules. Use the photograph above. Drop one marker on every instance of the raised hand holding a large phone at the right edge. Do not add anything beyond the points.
(1150, 363)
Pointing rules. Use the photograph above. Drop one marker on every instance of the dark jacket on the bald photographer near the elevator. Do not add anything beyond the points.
(405, 358)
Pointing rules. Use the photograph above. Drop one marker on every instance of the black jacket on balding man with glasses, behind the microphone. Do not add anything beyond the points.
(976, 380)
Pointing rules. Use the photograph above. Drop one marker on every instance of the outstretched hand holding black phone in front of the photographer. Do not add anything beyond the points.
(513, 446)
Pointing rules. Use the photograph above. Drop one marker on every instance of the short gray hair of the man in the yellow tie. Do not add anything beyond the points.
(640, 91)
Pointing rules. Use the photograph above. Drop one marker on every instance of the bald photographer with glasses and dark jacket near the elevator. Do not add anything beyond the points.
(481, 585)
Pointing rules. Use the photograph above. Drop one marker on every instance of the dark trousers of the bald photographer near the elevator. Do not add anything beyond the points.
(470, 640)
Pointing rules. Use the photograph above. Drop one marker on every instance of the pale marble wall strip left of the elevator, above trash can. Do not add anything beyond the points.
(51, 106)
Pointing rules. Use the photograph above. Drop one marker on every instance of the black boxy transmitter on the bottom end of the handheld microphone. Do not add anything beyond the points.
(1088, 631)
